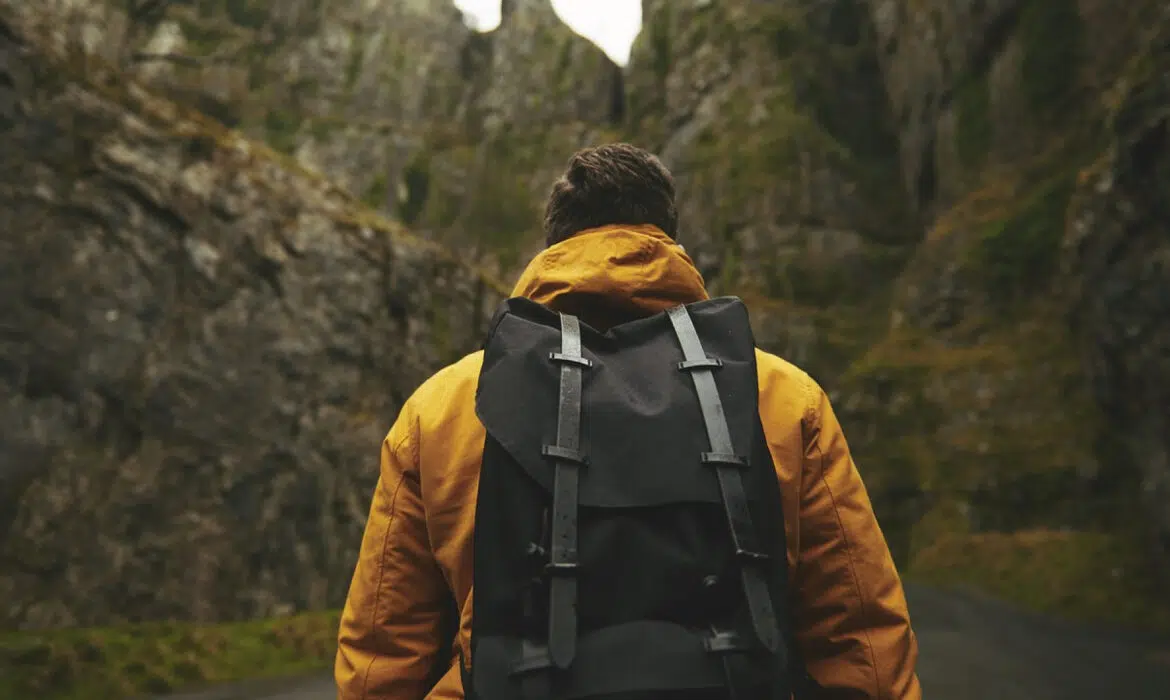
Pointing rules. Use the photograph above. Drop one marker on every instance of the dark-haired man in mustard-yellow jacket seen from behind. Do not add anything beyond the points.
(612, 260)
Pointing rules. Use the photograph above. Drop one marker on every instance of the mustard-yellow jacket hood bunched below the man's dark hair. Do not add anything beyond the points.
(612, 274)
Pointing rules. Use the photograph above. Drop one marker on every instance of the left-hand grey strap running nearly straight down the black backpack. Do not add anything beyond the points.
(568, 459)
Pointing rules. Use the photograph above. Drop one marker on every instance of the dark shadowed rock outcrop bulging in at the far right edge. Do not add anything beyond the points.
(1118, 259)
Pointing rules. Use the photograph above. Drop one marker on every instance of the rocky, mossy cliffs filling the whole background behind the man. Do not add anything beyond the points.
(949, 212)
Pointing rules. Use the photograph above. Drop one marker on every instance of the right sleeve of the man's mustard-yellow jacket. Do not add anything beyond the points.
(852, 622)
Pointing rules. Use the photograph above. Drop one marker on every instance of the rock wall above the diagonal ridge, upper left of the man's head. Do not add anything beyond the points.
(400, 104)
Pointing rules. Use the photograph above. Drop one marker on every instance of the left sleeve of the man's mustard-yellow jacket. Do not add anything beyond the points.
(389, 633)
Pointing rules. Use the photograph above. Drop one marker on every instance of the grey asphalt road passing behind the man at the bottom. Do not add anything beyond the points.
(972, 649)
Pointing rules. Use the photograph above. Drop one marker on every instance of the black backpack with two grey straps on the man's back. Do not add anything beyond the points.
(629, 537)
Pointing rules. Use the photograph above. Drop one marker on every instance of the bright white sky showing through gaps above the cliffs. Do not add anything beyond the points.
(610, 24)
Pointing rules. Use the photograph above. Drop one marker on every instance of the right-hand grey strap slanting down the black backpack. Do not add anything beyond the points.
(727, 468)
